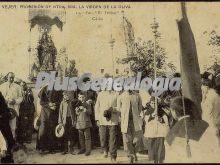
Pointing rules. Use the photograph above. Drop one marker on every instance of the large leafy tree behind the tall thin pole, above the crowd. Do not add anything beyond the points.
(143, 59)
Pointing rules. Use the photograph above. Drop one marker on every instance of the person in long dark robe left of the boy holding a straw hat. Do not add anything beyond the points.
(50, 103)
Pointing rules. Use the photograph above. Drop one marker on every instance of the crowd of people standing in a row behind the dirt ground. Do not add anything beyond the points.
(77, 119)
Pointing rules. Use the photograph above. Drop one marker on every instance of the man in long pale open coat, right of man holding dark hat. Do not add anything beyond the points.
(130, 106)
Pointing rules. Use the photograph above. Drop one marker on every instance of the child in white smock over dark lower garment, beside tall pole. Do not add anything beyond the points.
(156, 129)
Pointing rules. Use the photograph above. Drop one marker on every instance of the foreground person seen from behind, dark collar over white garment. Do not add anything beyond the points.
(184, 138)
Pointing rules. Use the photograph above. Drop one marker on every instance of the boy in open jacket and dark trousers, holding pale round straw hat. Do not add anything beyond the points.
(67, 117)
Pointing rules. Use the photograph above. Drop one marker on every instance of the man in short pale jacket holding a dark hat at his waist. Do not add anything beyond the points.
(107, 119)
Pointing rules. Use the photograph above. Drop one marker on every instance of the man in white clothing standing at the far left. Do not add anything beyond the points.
(13, 95)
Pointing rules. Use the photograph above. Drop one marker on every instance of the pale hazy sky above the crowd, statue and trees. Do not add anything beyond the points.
(87, 40)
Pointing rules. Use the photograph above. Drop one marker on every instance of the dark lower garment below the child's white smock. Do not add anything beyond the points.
(156, 149)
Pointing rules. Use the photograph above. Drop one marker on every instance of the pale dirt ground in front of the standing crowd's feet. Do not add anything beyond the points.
(95, 157)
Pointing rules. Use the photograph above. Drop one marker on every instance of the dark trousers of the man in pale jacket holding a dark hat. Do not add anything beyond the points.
(108, 139)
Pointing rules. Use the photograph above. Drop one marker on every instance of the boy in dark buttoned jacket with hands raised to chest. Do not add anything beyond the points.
(83, 112)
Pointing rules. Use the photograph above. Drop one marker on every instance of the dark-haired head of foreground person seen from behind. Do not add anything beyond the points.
(177, 109)
